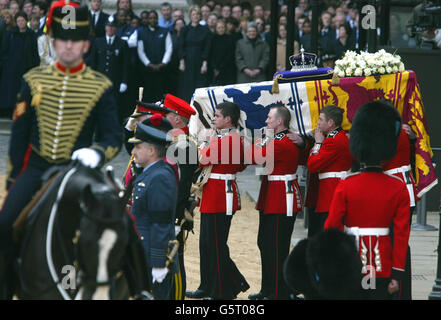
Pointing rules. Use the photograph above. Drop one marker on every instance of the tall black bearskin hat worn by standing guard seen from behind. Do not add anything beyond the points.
(374, 132)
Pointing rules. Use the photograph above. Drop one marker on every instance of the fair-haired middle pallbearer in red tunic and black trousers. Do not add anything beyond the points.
(279, 201)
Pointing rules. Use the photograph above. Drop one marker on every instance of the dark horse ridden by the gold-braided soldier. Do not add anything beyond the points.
(75, 238)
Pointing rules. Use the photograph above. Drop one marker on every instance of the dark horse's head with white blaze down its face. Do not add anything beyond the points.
(102, 238)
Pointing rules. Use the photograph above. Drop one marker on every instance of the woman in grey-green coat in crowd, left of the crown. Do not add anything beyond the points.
(252, 56)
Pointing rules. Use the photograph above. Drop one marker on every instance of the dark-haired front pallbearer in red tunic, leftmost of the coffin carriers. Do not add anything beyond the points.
(220, 278)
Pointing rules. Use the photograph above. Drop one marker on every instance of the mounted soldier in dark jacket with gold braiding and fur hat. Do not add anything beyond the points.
(64, 111)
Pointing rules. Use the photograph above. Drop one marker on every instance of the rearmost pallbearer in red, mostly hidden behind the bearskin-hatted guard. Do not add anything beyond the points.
(400, 166)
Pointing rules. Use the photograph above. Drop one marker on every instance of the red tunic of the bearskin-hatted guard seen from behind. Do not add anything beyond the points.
(374, 200)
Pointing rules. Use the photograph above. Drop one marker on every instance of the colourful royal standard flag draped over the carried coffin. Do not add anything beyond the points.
(306, 99)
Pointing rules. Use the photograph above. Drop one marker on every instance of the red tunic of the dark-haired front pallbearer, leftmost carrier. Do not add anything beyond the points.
(225, 153)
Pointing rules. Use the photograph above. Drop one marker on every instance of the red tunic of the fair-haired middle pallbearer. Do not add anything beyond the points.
(284, 155)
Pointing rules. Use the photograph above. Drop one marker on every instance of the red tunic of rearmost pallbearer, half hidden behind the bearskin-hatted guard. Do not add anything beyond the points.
(402, 159)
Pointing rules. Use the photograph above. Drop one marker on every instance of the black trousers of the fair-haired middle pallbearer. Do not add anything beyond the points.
(273, 240)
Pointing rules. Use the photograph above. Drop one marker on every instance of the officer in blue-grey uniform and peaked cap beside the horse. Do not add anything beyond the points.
(154, 205)
